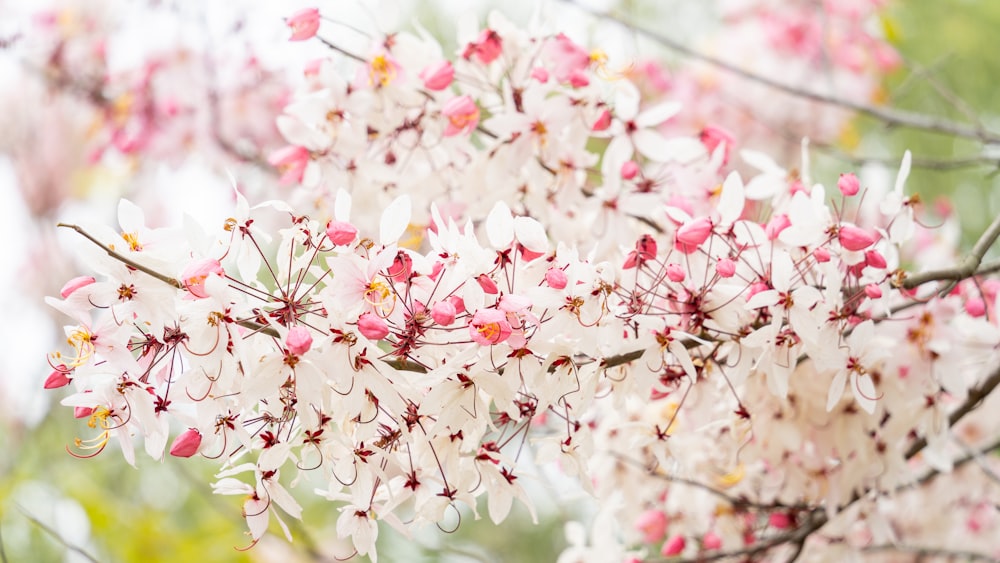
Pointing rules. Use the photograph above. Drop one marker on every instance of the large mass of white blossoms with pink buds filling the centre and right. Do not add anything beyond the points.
(503, 251)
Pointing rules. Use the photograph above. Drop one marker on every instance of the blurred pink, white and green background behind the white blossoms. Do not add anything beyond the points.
(164, 101)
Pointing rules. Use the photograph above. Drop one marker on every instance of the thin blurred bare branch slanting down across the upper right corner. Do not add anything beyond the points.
(894, 117)
